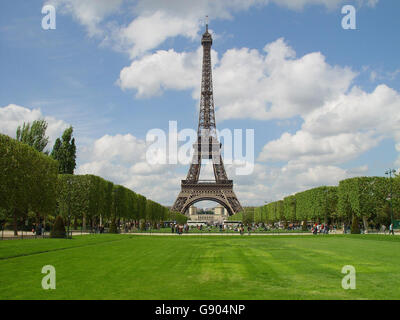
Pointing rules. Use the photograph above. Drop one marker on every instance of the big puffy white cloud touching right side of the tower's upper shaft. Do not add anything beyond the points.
(277, 84)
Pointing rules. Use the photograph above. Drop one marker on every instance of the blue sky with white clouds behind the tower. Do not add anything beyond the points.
(323, 101)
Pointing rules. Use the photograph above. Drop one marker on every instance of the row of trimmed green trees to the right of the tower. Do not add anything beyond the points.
(361, 200)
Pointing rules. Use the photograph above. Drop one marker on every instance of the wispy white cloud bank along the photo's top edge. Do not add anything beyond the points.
(154, 21)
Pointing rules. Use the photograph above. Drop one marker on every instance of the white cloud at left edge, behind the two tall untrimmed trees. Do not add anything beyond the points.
(12, 116)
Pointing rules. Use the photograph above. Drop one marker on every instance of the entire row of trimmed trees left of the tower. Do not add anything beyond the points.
(31, 188)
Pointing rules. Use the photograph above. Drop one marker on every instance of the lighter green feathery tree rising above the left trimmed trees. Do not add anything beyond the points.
(34, 135)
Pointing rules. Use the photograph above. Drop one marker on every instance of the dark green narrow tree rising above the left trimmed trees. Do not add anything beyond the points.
(64, 151)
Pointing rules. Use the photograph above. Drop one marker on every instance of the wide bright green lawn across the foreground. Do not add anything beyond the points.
(201, 267)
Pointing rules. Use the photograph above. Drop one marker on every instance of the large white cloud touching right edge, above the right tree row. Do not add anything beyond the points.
(341, 130)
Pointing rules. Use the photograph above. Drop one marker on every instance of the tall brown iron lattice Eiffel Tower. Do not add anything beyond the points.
(207, 147)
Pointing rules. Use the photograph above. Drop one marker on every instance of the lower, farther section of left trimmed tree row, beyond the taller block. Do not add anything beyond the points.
(90, 201)
